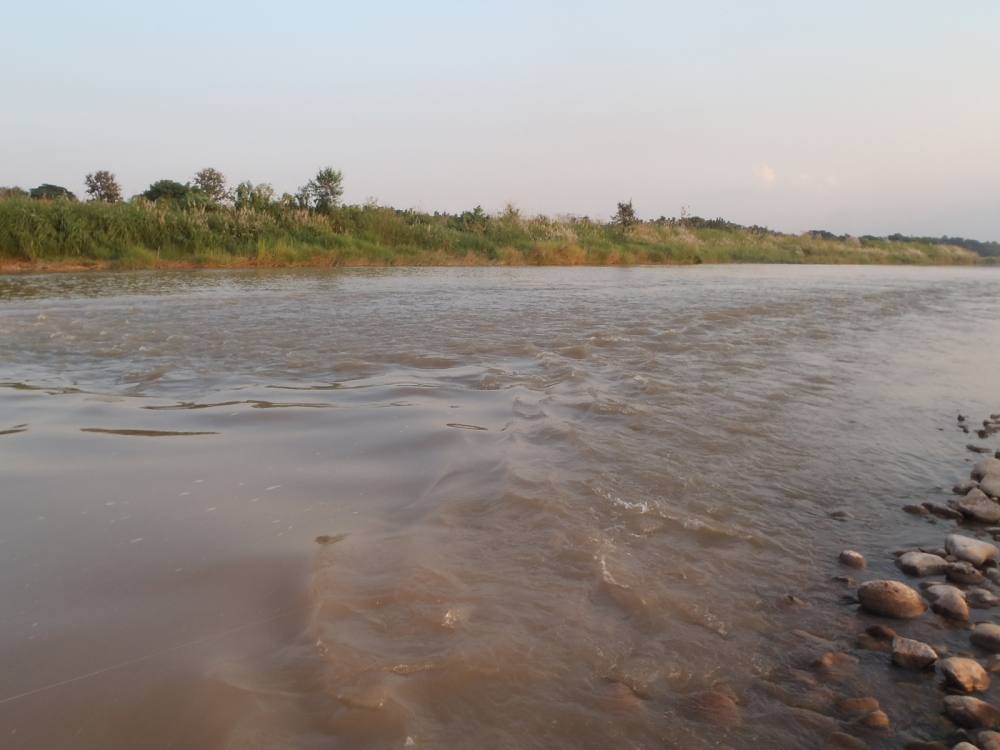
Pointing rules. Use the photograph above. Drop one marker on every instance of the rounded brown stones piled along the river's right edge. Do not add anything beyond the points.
(952, 584)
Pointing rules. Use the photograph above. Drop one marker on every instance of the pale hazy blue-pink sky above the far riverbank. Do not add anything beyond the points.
(852, 116)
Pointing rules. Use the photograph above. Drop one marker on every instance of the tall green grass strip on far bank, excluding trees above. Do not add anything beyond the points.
(140, 234)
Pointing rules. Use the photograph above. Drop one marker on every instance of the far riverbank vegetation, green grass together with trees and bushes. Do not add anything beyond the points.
(204, 224)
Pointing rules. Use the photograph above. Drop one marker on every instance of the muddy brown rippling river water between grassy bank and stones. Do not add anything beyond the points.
(556, 502)
